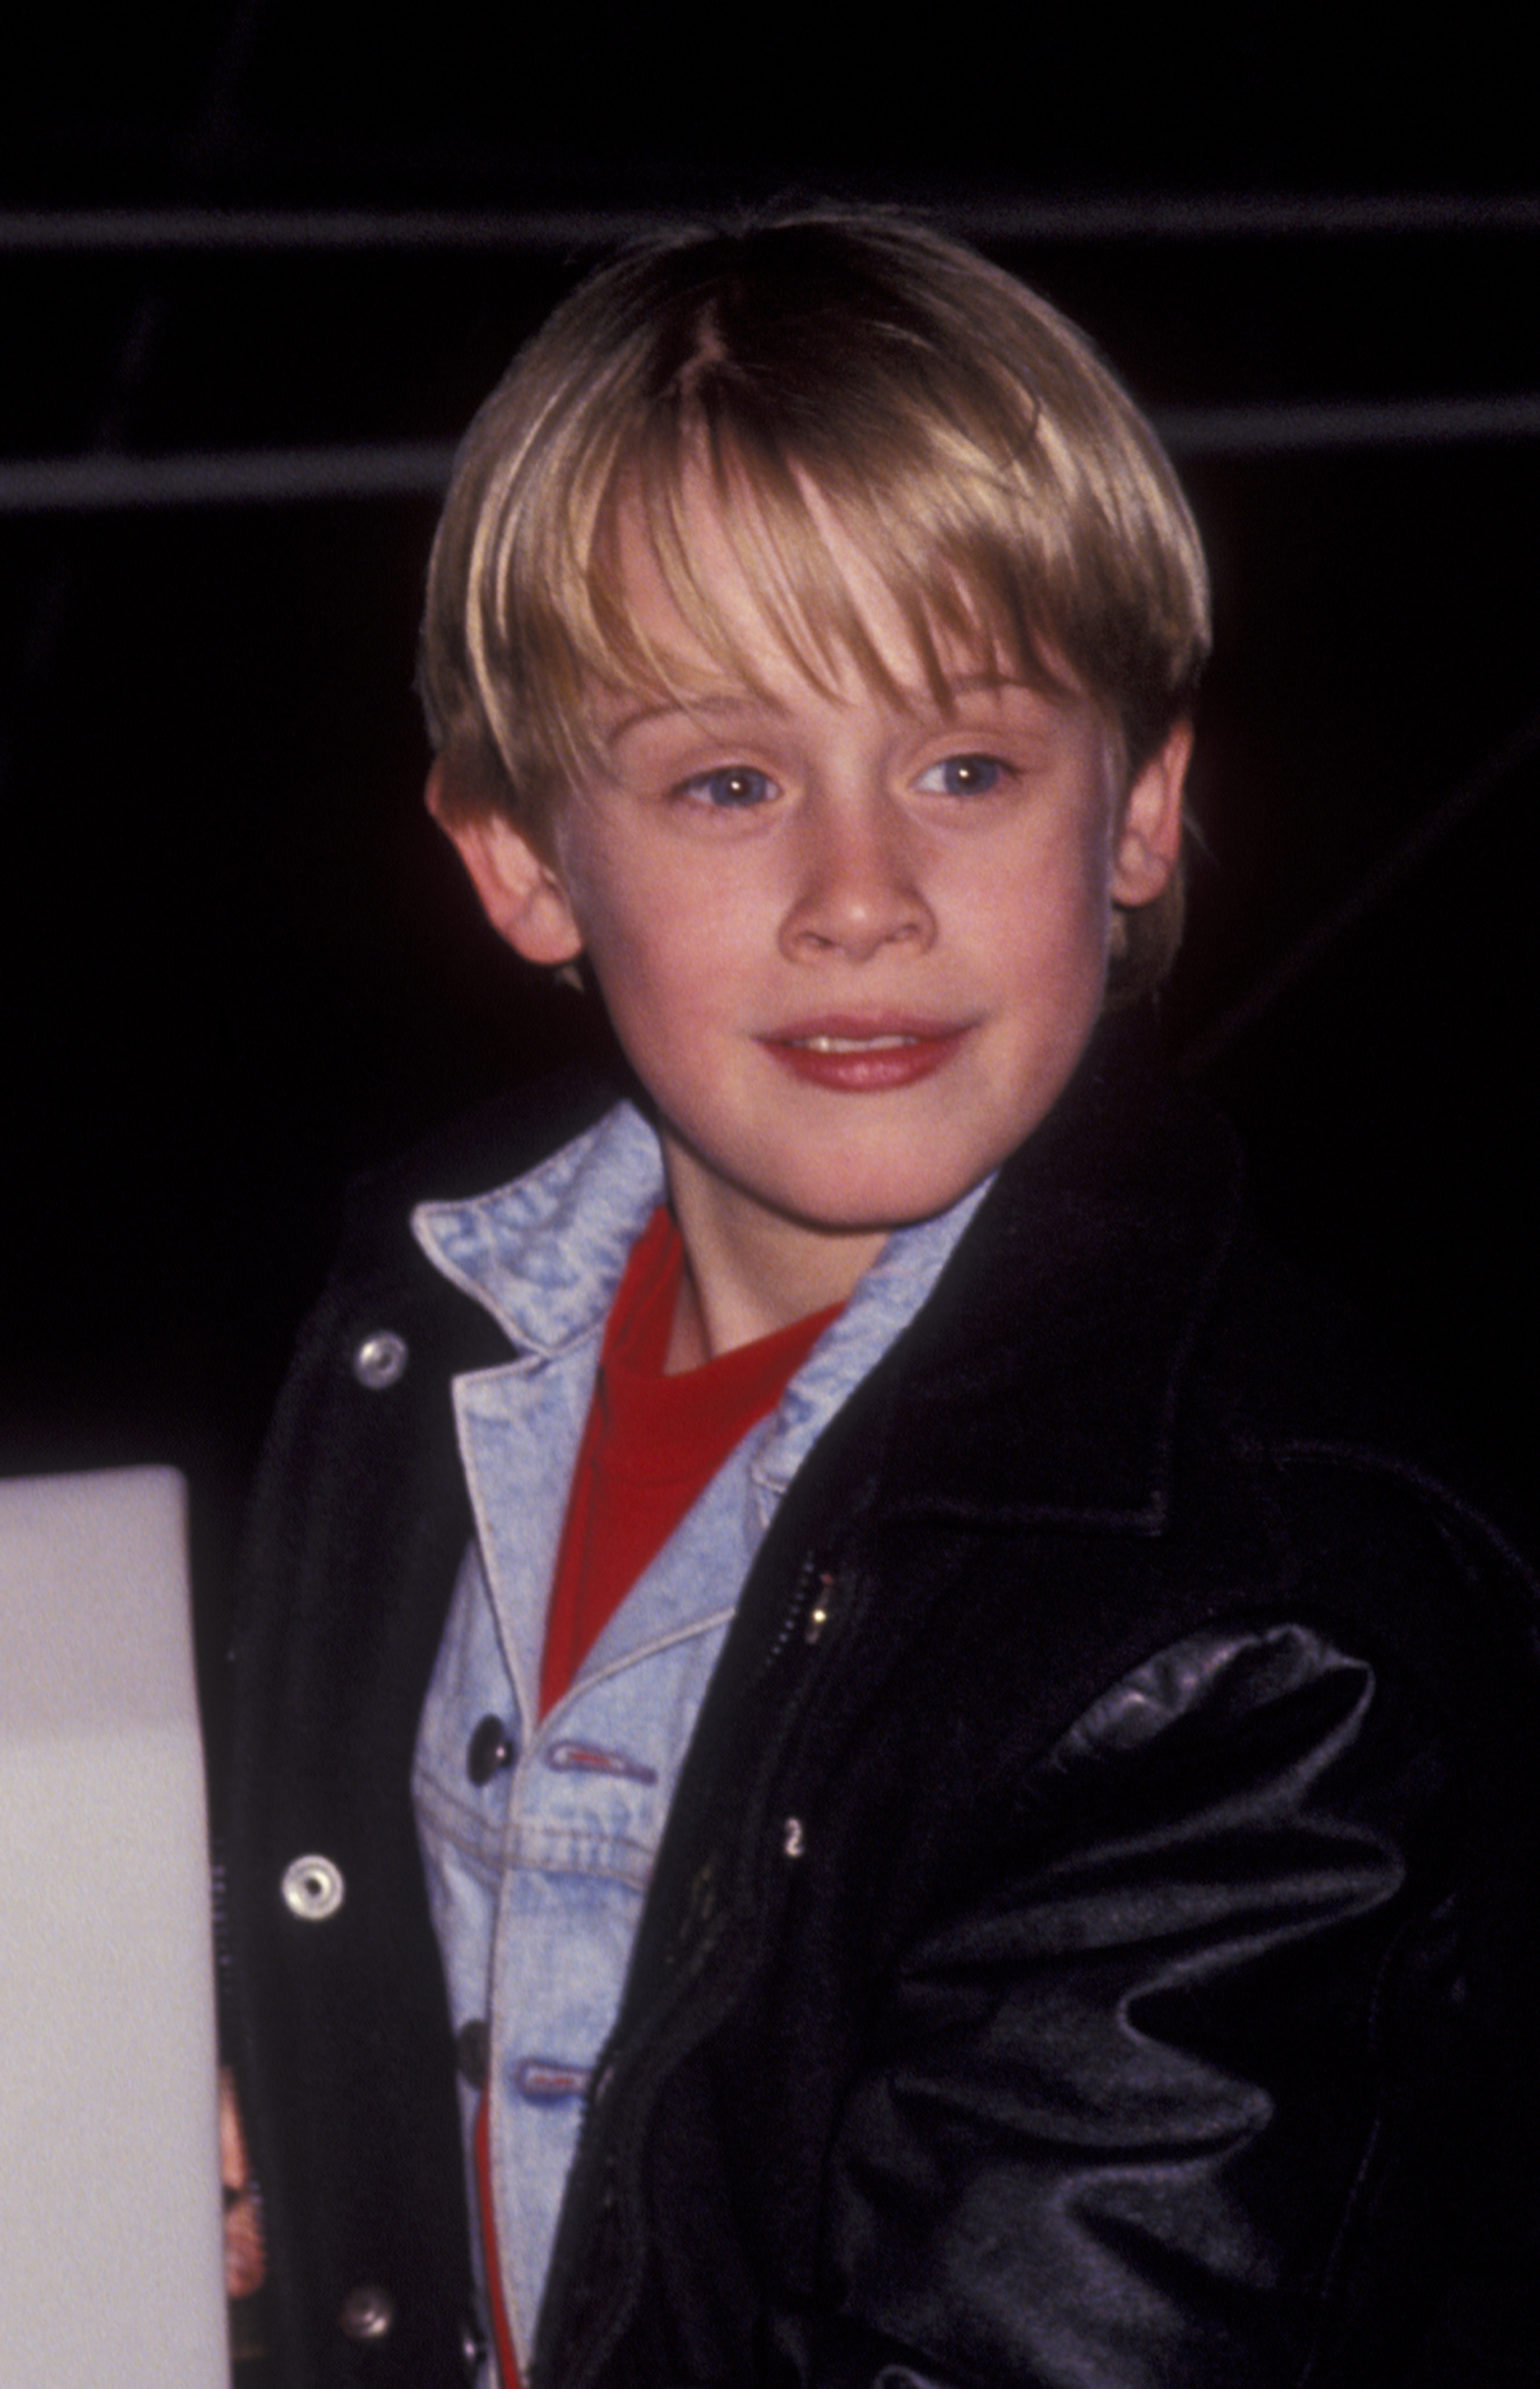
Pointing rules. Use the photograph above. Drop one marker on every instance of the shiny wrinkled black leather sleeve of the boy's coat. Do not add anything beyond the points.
(1116, 2101)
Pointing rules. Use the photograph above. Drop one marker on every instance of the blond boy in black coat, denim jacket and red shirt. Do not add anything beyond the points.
(858, 1757)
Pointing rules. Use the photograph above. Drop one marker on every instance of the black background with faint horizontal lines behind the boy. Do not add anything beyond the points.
(240, 966)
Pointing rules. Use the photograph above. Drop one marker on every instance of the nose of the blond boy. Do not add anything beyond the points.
(858, 885)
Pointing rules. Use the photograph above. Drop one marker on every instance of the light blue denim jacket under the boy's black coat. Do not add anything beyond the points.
(536, 1874)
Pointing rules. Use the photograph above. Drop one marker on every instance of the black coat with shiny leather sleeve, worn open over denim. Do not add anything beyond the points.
(1092, 1939)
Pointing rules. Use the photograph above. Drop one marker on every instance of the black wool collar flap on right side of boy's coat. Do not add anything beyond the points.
(1042, 1380)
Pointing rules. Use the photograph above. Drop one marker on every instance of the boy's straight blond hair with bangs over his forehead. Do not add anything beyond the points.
(966, 436)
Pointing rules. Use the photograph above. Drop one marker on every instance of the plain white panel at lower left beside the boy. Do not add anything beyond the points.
(109, 2139)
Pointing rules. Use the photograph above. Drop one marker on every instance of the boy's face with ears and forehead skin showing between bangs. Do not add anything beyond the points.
(854, 947)
